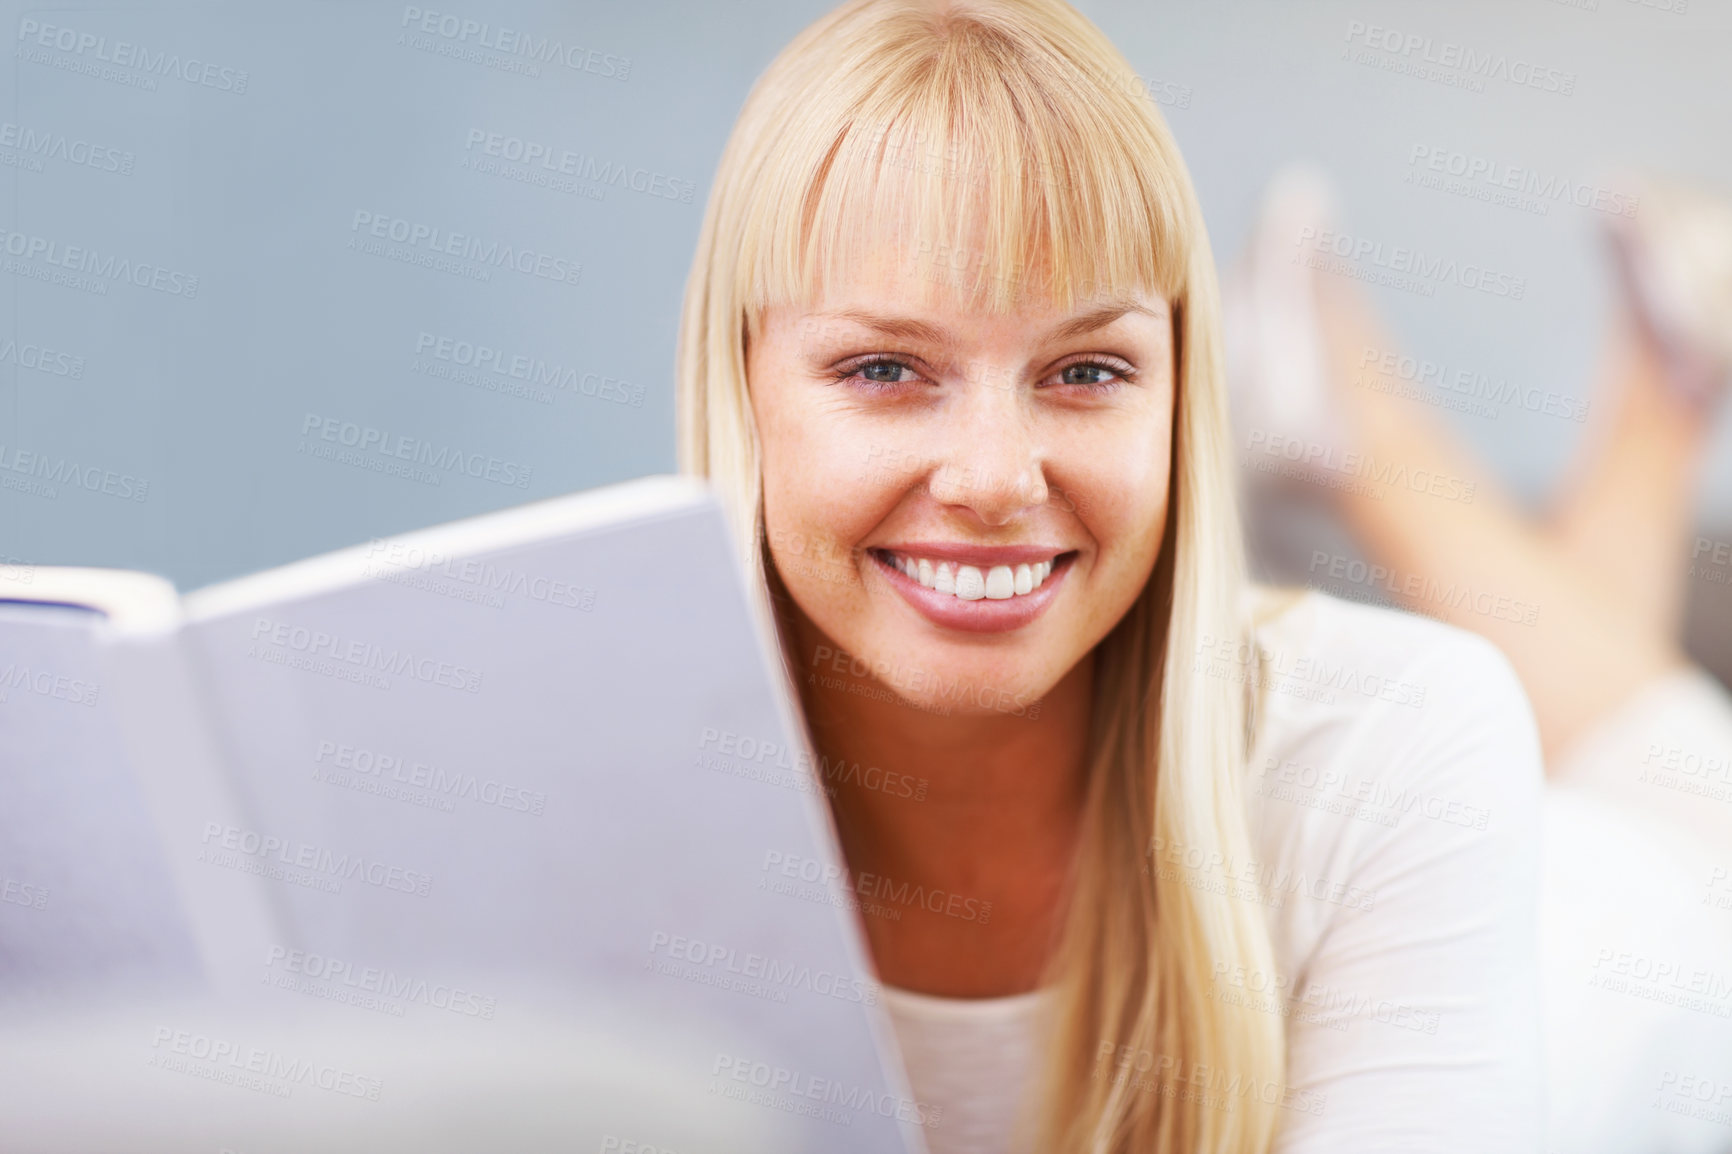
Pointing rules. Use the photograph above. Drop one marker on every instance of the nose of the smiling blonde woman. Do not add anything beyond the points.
(990, 462)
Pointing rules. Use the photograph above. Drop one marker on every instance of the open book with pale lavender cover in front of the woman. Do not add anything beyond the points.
(448, 805)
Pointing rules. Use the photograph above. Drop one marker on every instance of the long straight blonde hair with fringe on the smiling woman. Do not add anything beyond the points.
(886, 110)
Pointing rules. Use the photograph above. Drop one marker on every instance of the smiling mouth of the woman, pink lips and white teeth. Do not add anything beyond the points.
(978, 590)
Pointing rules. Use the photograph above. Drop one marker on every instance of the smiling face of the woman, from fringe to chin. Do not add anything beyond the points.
(1014, 465)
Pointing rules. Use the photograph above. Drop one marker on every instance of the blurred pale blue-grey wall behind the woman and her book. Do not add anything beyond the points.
(275, 153)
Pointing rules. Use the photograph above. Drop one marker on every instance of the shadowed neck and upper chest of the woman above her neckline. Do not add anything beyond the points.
(959, 829)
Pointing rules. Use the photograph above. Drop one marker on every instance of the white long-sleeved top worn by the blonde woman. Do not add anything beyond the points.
(1393, 800)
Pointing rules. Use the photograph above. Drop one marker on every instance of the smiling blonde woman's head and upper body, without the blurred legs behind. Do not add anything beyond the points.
(952, 360)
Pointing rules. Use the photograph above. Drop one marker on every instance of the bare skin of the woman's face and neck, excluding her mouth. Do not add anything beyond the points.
(990, 436)
